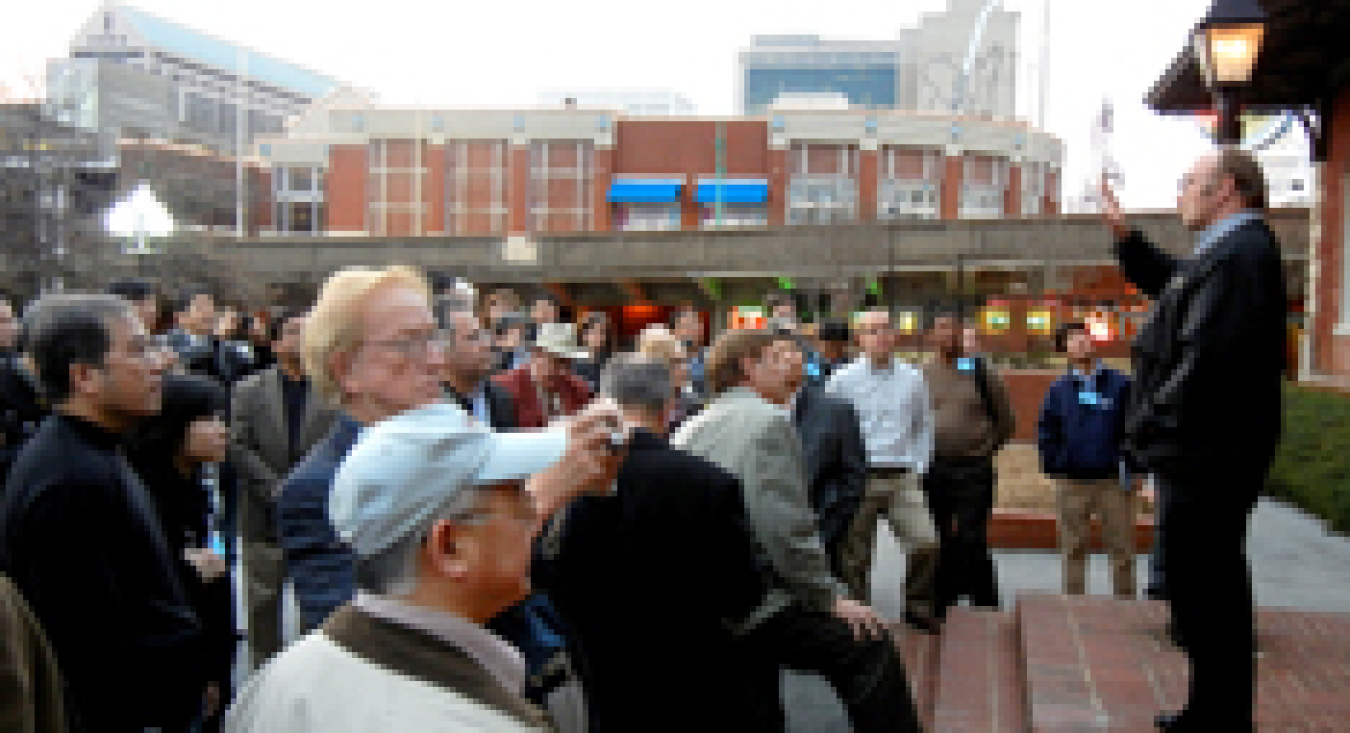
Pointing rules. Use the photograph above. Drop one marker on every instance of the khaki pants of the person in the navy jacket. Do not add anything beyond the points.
(1114, 507)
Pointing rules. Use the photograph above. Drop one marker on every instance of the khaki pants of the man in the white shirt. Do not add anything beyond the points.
(898, 497)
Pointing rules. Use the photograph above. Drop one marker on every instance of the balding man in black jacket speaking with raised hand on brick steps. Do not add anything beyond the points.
(1205, 416)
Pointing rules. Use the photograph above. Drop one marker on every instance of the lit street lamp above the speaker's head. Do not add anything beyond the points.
(1226, 44)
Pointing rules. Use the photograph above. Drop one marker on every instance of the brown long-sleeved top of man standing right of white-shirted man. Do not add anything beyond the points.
(963, 425)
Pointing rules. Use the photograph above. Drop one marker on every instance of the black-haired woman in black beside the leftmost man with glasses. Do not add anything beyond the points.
(171, 453)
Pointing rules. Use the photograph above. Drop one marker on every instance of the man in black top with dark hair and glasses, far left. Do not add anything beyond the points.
(80, 537)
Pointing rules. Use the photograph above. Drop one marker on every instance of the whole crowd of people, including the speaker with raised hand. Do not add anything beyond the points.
(496, 519)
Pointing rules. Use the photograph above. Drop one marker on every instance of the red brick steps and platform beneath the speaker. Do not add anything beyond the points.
(1060, 665)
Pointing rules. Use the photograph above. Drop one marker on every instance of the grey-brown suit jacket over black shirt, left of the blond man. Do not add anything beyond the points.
(261, 450)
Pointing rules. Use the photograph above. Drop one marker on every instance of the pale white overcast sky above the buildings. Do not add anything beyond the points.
(504, 55)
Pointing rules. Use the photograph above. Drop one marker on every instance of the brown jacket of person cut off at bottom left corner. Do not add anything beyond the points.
(30, 685)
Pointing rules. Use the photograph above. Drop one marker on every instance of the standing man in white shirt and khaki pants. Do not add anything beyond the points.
(893, 406)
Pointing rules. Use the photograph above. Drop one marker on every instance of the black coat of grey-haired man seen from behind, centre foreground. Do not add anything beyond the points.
(646, 580)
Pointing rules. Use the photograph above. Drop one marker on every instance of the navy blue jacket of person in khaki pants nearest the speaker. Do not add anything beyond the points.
(1081, 427)
